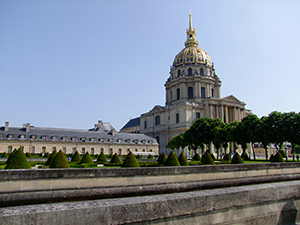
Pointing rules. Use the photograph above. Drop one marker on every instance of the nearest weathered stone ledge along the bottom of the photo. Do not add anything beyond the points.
(276, 203)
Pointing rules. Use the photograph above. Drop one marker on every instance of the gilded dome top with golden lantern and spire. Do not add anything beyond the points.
(191, 54)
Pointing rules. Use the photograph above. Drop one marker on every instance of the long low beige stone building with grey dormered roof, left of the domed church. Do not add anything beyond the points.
(101, 138)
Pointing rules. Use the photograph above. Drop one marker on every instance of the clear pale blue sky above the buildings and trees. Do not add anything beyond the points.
(70, 63)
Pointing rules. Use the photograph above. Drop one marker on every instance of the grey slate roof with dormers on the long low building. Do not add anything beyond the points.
(58, 134)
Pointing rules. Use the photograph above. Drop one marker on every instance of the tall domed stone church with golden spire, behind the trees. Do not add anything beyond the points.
(193, 90)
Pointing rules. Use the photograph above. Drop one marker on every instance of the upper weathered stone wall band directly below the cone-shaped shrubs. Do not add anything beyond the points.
(29, 174)
